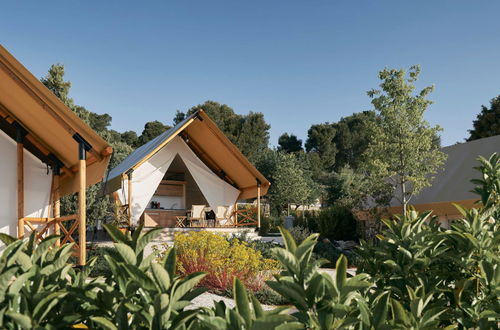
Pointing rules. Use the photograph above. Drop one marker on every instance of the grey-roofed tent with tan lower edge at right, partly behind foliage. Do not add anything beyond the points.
(452, 184)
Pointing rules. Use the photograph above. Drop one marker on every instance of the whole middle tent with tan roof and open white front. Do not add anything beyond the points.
(193, 163)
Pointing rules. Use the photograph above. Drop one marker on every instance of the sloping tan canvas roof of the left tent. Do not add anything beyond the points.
(50, 124)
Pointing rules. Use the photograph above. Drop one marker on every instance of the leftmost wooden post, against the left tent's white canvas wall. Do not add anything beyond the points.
(20, 133)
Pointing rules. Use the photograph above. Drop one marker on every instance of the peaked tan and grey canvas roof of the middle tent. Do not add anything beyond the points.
(210, 145)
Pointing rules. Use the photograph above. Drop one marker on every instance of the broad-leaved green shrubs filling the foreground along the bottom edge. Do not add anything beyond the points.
(419, 276)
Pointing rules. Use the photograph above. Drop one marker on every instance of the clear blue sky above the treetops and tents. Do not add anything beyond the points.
(298, 62)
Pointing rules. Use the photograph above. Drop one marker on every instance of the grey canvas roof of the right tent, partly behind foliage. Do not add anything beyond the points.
(452, 183)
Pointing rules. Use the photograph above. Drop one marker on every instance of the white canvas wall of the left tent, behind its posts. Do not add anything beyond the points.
(37, 186)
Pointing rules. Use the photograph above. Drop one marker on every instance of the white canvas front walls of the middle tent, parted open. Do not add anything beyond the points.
(147, 177)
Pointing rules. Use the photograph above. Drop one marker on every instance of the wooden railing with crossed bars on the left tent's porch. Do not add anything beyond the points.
(56, 224)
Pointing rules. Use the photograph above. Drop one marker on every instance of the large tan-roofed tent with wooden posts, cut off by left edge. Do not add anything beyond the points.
(47, 152)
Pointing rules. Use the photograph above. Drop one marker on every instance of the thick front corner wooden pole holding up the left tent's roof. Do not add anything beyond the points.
(82, 206)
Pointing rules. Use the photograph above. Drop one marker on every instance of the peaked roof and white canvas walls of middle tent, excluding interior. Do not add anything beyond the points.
(221, 172)
